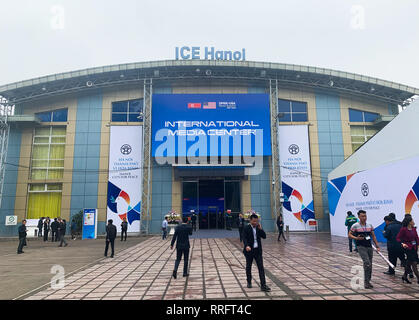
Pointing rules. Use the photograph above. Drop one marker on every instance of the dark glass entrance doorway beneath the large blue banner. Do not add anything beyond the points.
(210, 199)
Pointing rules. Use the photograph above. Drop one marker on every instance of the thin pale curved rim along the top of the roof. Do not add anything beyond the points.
(271, 66)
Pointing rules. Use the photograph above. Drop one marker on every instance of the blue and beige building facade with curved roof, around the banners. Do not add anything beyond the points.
(59, 140)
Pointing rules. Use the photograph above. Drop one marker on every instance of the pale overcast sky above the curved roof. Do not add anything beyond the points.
(377, 38)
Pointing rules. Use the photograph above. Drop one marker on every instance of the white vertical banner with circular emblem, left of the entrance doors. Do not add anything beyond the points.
(125, 176)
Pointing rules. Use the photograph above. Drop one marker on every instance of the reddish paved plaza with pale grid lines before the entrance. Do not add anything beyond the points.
(307, 267)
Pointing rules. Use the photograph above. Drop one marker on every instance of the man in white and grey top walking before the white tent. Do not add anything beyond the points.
(362, 232)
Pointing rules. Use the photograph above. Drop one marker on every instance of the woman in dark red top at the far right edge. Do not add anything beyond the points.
(409, 240)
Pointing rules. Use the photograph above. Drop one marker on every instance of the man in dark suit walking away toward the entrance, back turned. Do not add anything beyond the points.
(182, 234)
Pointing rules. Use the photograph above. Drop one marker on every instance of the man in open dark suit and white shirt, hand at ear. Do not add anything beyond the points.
(252, 250)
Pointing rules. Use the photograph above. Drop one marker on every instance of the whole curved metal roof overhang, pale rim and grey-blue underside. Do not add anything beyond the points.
(172, 72)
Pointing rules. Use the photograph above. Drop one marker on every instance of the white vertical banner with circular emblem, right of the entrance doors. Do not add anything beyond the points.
(295, 168)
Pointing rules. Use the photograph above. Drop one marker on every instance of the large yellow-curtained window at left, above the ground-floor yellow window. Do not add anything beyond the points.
(48, 153)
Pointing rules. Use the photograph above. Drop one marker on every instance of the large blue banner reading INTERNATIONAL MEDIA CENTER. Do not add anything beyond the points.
(202, 125)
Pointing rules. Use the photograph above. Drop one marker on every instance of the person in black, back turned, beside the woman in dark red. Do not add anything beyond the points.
(394, 248)
